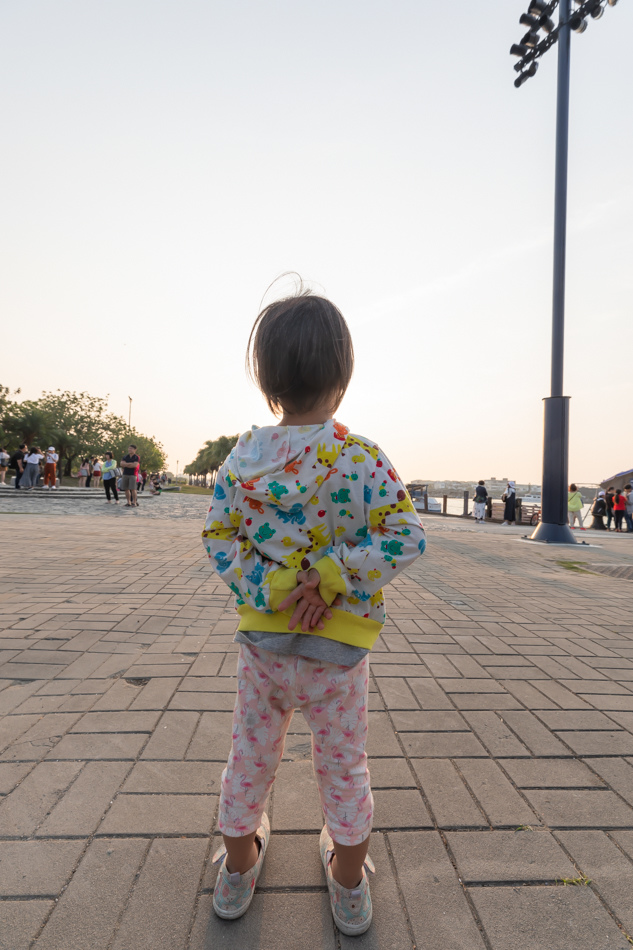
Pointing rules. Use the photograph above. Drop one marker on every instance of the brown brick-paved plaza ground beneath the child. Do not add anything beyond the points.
(501, 749)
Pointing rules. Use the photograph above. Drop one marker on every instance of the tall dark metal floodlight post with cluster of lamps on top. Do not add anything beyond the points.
(553, 527)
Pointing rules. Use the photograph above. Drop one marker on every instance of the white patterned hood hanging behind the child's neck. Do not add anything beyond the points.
(282, 465)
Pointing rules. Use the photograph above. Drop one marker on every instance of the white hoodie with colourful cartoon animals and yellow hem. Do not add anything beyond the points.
(289, 498)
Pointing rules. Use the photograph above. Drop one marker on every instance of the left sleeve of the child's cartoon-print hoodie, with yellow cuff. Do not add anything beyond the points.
(252, 576)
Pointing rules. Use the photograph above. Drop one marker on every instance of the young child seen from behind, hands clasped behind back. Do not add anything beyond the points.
(308, 523)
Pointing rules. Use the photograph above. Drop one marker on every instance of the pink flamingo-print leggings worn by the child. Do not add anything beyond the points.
(333, 700)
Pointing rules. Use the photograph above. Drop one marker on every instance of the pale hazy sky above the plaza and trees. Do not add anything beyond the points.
(164, 161)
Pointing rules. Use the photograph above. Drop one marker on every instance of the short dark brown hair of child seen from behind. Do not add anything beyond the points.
(300, 353)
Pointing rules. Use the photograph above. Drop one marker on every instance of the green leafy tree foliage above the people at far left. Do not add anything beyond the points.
(77, 424)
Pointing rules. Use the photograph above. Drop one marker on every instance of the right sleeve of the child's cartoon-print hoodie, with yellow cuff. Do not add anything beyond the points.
(393, 539)
